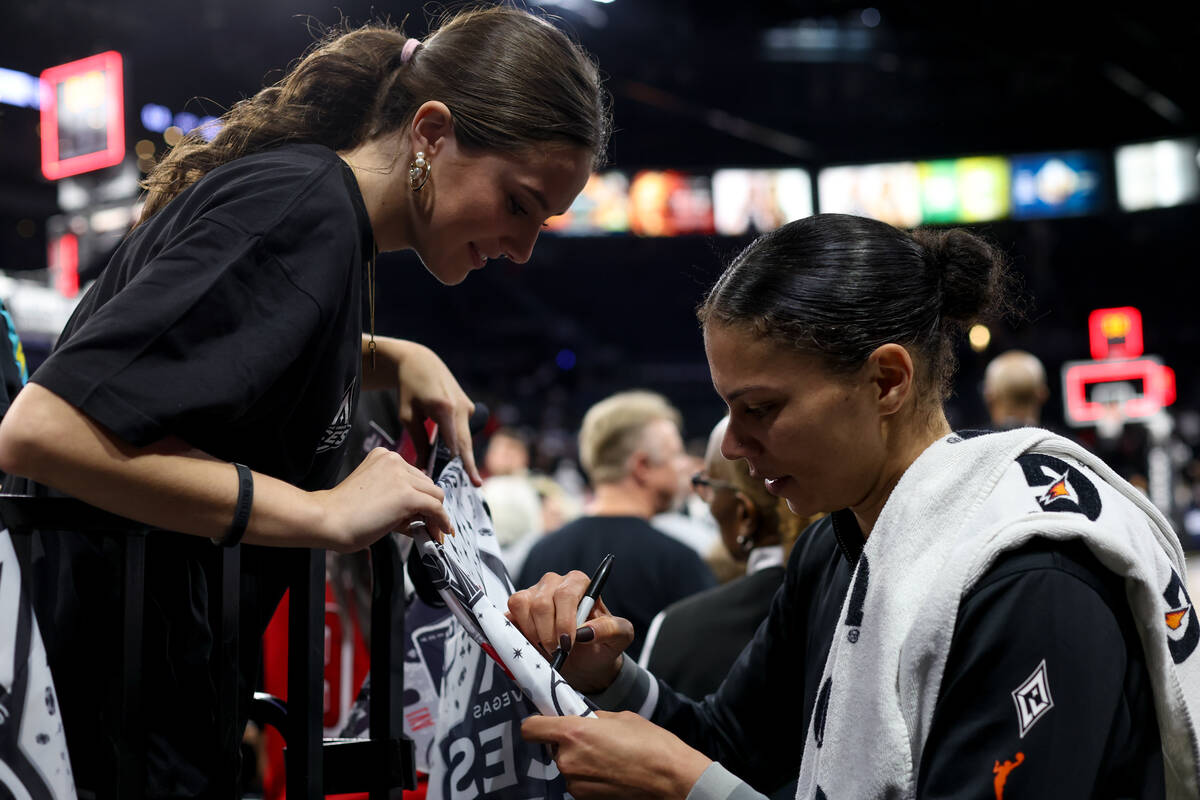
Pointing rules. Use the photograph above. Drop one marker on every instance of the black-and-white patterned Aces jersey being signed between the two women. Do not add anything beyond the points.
(490, 677)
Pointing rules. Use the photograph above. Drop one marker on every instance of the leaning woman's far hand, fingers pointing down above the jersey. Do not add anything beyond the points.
(428, 390)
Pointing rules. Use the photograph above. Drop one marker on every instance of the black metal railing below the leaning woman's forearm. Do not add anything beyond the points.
(315, 767)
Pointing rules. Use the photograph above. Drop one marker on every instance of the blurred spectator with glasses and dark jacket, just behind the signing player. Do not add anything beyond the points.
(693, 643)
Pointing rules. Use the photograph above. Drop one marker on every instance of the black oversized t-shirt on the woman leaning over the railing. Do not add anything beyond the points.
(232, 320)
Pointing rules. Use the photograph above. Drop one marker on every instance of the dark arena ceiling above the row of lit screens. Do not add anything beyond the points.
(704, 83)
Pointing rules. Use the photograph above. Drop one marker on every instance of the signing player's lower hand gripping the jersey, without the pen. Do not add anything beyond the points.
(619, 756)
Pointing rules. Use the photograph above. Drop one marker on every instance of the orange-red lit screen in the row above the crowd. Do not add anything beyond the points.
(670, 204)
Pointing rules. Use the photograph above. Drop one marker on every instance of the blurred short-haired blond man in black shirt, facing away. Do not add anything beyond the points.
(631, 449)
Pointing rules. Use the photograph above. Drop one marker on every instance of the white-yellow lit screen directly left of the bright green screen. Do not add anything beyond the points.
(886, 193)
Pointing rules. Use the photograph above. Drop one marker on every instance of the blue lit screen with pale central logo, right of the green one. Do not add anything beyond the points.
(1057, 185)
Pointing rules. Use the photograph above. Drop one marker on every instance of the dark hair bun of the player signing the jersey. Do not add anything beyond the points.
(973, 272)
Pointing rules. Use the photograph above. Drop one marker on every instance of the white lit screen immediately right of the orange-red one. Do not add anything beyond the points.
(758, 201)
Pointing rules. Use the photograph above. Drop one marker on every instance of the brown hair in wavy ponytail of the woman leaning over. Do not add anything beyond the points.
(509, 79)
